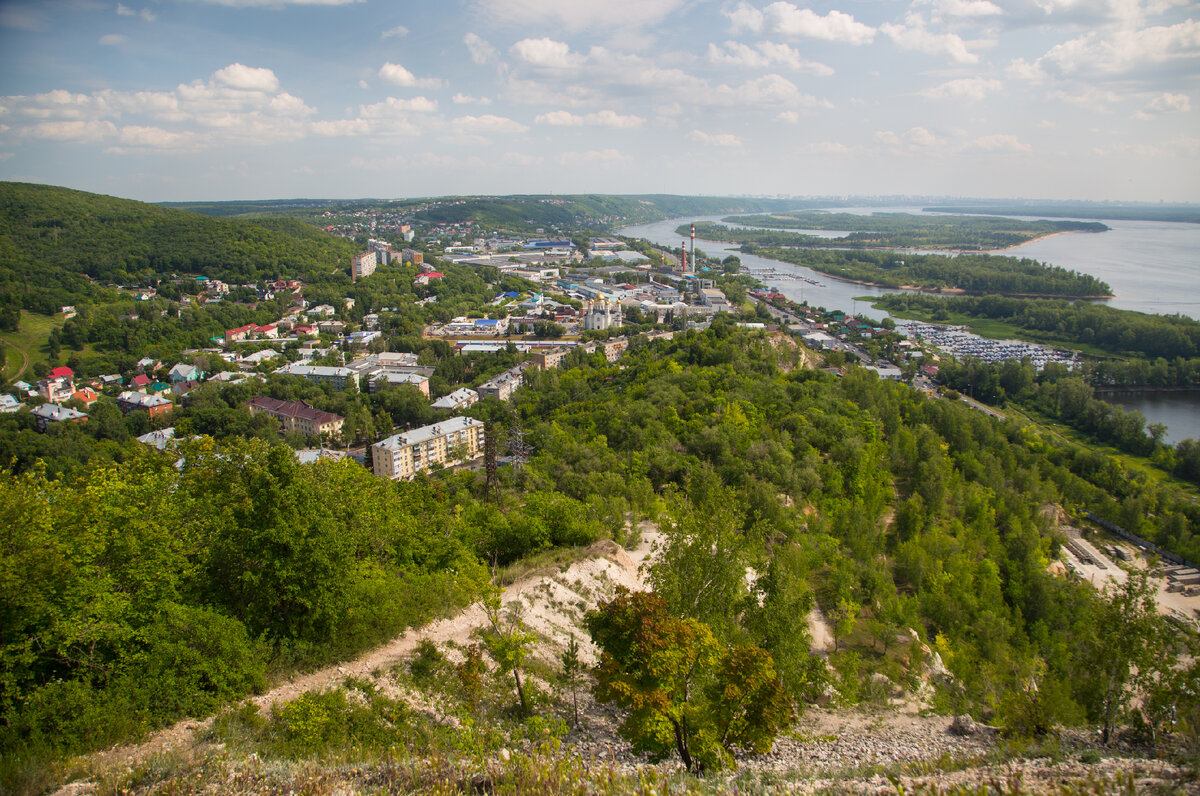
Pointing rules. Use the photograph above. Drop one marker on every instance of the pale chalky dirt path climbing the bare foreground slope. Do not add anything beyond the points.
(553, 605)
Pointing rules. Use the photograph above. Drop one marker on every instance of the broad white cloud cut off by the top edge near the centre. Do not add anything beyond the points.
(579, 15)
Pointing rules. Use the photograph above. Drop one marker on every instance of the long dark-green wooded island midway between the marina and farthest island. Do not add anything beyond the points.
(968, 273)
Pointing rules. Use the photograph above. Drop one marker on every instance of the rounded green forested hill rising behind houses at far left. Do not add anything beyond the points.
(52, 240)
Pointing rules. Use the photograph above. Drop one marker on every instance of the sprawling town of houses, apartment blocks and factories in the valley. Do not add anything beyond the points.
(583, 302)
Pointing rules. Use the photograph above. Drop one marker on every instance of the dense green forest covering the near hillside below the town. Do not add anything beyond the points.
(136, 591)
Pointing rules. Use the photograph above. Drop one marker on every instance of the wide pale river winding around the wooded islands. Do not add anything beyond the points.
(1153, 267)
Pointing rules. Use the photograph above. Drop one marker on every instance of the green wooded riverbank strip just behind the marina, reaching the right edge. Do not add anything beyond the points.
(1123, 333)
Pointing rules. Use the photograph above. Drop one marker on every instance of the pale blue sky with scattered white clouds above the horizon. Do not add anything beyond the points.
(205, 100)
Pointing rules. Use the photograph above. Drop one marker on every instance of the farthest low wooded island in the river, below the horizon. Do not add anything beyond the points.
(905, 230)
